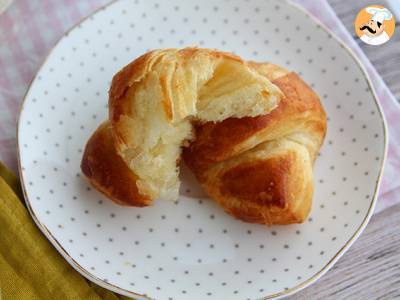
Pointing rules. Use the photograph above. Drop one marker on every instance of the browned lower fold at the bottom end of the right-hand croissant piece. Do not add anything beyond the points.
(269, 189)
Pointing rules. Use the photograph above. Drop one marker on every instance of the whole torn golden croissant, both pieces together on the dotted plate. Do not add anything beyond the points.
(249, 132)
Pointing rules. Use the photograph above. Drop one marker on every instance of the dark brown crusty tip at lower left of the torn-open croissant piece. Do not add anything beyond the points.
(107, 172)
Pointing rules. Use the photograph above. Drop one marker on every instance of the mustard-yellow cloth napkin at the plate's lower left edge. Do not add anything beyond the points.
(30, 267)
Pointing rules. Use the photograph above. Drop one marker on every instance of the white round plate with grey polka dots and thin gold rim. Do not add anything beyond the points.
(193, 250)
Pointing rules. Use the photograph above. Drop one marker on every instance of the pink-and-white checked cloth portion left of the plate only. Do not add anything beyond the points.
(28, 30)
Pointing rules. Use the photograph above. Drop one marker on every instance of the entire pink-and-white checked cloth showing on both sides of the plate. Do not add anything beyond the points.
(29, 29)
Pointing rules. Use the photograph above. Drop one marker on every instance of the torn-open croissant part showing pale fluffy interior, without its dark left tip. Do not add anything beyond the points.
(154, 101)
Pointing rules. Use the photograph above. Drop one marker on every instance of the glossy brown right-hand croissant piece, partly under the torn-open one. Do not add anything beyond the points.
(244, 178)
